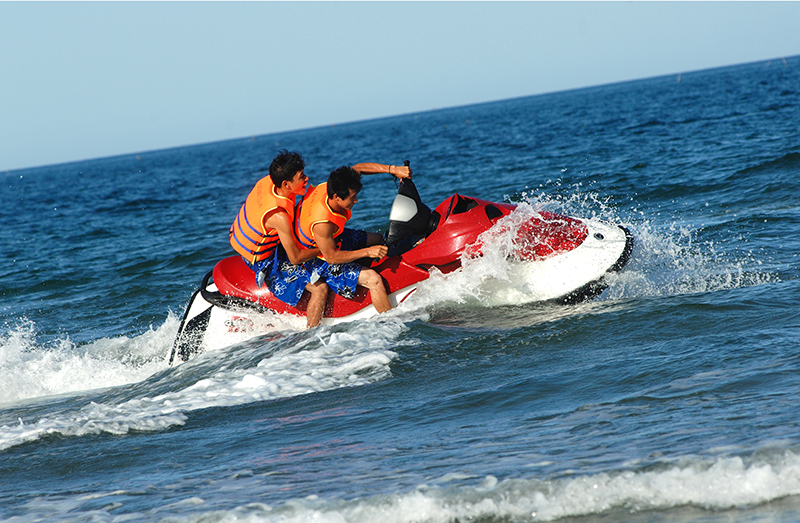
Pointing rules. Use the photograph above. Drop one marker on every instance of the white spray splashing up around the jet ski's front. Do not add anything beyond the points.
(665, 262)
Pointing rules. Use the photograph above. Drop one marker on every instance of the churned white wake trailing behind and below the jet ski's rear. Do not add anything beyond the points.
(258, 370)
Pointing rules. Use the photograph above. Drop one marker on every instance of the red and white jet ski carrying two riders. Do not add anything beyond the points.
(560, 259)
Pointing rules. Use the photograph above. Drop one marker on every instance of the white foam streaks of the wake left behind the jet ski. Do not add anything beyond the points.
(356, 357)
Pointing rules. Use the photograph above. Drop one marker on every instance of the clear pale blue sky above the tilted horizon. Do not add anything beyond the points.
(87, 80)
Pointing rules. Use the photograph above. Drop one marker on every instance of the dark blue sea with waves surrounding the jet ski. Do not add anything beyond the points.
(672, 397)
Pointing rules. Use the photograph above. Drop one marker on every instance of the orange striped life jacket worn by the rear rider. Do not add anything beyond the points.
(249, 234)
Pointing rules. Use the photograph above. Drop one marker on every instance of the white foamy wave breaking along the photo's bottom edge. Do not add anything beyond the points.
(724, 483)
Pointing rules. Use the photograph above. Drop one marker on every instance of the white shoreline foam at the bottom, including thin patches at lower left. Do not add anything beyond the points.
(725, 483)
